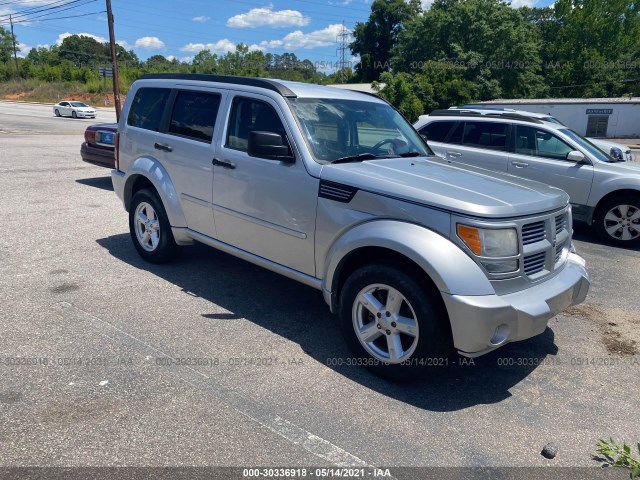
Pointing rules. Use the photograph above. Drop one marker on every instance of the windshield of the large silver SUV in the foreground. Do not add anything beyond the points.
(335, 129)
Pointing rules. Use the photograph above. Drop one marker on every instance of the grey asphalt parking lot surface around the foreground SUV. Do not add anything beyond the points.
(209, 360)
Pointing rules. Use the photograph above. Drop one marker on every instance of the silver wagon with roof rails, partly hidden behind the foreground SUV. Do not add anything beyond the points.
(604, 192)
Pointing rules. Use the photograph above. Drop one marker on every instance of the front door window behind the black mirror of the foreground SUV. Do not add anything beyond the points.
(248, 115)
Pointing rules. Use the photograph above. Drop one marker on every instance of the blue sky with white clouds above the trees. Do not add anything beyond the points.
(181, 28)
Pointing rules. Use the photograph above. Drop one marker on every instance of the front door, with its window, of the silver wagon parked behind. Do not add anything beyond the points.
(542, 156)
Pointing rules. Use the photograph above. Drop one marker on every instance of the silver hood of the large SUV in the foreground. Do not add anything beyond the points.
(457, 188)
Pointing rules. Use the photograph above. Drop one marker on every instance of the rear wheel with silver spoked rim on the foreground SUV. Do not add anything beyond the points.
(150, 229)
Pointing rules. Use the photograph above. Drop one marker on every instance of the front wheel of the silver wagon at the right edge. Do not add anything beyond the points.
(617, 220)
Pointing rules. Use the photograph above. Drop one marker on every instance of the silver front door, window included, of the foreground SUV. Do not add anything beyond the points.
(265, 207)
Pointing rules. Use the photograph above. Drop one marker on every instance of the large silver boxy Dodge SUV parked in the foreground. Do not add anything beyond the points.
(336, 190)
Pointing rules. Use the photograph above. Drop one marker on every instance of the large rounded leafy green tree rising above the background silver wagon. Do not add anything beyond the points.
(486, 41)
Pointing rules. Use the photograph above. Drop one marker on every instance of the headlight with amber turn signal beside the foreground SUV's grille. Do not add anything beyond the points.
(492, 243)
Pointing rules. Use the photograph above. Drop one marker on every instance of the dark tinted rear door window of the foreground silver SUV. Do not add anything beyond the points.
(194, 115)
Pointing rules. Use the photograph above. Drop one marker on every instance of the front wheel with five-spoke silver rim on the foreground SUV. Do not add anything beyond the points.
(393, 326)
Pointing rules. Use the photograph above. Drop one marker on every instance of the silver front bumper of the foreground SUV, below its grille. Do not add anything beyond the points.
(481, 324)
